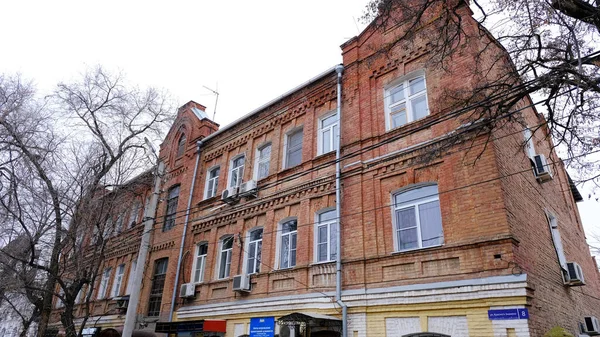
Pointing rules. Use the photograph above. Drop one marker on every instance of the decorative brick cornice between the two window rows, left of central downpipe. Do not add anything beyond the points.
(313, 188)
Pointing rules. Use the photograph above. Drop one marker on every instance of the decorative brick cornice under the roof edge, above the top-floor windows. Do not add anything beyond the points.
(281, 117)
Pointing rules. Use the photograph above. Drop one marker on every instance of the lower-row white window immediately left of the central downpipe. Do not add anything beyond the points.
(326, 236)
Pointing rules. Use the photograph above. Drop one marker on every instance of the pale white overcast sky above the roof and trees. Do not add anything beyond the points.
(251, 51)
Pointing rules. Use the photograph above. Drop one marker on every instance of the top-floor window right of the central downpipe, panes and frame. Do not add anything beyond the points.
(406, 101)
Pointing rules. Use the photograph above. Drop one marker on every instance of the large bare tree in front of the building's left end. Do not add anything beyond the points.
(62, 159)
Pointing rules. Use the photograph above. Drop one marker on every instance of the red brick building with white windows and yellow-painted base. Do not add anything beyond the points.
(445, 243)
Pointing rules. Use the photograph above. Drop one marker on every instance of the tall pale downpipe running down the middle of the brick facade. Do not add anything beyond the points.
(338, 204)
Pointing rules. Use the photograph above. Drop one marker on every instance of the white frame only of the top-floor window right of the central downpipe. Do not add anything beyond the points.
(405, 81)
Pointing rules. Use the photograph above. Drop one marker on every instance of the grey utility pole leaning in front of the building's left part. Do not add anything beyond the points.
(149, 214)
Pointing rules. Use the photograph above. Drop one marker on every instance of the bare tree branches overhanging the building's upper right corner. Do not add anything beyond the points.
(546, 49)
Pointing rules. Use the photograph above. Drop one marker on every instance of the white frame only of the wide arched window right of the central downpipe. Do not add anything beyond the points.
(414, 204)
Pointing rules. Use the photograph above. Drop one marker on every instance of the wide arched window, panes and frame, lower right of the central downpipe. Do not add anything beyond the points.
(417, 217)
